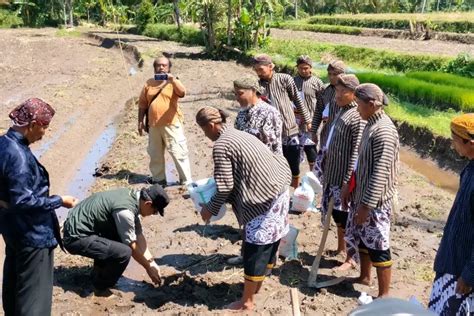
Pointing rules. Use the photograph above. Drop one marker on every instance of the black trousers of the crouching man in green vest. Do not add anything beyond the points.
(110, 258)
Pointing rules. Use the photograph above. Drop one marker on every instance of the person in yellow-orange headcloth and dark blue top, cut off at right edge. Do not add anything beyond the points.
(452, 292)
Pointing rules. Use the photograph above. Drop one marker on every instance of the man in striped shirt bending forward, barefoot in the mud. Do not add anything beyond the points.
(255, 181)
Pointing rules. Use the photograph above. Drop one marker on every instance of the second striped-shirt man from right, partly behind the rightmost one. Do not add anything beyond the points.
(340, 154)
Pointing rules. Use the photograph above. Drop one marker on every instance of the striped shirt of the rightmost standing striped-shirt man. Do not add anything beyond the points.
(377, 166)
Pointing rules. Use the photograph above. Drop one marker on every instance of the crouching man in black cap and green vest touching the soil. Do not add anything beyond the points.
(106, 227)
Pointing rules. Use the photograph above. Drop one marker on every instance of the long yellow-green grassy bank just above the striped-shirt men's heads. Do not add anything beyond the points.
(289, 50)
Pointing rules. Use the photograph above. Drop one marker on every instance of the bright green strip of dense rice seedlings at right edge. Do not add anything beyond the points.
(437, 96)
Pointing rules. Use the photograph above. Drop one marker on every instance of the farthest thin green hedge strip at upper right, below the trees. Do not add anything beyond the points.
(398, 24)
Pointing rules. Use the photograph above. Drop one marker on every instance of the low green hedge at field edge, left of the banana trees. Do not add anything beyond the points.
(188, 35)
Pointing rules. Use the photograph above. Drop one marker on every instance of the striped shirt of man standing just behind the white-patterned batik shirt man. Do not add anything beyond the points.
(282, 92)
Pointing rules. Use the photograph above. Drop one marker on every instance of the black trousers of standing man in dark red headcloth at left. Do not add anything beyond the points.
(27, 279)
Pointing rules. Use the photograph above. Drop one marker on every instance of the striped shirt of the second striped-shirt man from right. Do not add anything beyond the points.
(342, 151)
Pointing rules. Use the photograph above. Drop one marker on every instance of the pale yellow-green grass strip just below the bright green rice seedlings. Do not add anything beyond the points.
(434, 120)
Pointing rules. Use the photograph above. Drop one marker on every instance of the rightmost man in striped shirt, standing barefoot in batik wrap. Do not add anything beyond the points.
(373, 188)
